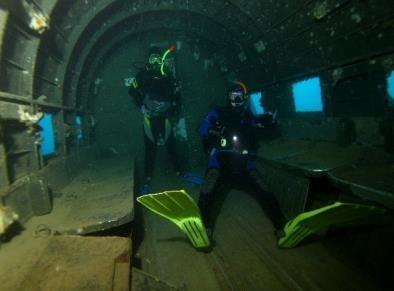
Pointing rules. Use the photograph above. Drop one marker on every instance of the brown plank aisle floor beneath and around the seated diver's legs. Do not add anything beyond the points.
(245, 256)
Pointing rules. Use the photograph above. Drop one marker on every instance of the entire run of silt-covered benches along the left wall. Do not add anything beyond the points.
(43, 256)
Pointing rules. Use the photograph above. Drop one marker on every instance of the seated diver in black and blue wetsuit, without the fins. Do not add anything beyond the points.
(229, 136)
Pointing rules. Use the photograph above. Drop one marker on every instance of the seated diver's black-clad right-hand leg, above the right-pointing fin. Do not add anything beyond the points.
(268, 202)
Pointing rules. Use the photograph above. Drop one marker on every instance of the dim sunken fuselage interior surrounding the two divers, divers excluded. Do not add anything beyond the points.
(71, 142)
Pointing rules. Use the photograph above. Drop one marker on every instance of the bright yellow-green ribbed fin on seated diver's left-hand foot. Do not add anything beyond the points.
(178, 207)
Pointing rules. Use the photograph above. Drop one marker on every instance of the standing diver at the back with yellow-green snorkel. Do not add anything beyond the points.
(158, 97)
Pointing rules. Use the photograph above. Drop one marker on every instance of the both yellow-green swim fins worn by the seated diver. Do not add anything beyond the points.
(178, 207)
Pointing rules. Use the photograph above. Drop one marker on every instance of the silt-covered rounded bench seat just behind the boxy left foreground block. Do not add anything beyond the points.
(101, 197)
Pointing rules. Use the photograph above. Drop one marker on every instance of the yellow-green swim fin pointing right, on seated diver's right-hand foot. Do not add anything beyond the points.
(336, 214)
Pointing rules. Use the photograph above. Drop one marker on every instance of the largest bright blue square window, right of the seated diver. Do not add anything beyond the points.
(307, 95)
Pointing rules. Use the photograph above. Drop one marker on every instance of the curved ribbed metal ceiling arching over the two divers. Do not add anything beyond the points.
(275, 39)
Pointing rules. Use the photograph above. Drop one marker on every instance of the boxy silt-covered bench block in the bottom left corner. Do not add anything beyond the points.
(62, 263)
